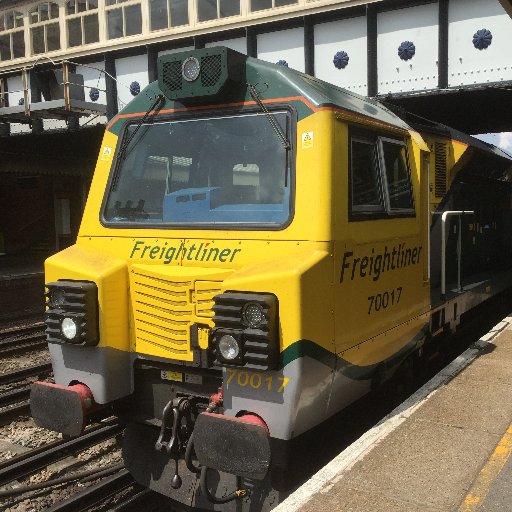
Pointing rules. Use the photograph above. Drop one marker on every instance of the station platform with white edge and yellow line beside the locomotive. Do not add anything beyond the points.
(446, 448)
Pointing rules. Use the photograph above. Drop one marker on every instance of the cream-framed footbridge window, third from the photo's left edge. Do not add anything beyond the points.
(82, 22)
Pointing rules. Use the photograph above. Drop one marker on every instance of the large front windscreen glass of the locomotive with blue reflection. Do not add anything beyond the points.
(225, 179)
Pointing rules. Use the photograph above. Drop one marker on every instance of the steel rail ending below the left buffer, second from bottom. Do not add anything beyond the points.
(35, 460)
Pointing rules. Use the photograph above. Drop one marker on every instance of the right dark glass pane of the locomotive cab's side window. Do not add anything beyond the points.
(399, 184)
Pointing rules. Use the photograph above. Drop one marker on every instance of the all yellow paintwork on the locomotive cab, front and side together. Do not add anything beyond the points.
(148, 300)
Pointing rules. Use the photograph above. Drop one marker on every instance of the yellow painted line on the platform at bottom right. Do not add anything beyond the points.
(488, 474)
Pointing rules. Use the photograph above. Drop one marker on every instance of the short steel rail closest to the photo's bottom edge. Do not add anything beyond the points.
(96, 494)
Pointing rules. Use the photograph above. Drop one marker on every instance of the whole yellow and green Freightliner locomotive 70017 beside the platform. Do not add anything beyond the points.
(259, 249)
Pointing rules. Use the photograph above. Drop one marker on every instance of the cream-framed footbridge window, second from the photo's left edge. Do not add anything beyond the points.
(44, 31)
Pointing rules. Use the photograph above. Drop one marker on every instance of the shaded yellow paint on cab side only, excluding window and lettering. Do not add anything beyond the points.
(364, 337)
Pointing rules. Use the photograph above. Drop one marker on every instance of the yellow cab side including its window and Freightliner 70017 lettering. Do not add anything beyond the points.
(380, 253)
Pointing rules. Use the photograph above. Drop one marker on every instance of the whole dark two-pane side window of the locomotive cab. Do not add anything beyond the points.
(379, 177)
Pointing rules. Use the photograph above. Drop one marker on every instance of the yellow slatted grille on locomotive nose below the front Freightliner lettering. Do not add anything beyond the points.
(165, 308)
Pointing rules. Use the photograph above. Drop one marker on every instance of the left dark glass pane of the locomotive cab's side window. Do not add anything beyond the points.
(365, 179)
